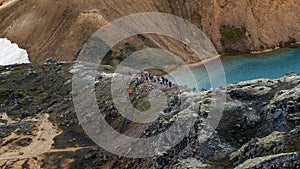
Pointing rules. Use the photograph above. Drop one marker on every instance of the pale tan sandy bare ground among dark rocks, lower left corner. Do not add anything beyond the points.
(42, 140)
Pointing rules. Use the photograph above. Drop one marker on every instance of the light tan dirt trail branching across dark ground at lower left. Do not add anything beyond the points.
(42, 141)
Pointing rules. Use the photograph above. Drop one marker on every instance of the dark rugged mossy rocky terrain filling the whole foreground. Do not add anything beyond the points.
(260, 126)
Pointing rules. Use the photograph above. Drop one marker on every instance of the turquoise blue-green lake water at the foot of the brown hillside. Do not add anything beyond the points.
(246, 67)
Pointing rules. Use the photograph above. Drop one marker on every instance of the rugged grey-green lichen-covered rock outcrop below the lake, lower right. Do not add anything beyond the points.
(247, 136)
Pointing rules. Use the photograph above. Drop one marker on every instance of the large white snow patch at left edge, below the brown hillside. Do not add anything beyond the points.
(10, 53)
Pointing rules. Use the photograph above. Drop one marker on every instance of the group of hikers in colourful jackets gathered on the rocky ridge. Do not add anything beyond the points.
(145, 75)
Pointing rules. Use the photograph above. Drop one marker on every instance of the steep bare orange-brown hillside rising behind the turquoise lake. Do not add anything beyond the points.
(60, 28)
